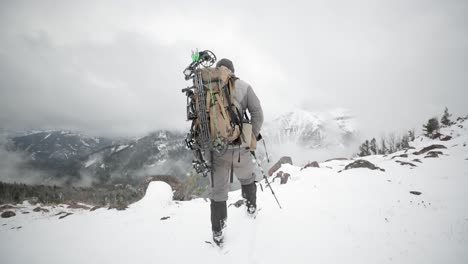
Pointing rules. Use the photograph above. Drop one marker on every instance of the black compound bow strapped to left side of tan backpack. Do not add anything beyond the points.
(198, 140)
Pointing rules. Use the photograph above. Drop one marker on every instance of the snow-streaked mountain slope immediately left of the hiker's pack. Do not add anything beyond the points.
(161, 152)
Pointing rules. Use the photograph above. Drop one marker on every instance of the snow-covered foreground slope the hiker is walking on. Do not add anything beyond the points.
(328, 216)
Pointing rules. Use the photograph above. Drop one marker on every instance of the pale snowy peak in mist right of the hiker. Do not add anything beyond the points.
(312, 130)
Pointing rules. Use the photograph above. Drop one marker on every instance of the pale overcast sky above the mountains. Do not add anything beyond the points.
(115, 68)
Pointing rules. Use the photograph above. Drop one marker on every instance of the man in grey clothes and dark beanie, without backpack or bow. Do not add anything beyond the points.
(238, 158)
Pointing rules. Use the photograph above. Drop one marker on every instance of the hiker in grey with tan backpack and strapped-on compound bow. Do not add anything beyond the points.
(222, 137)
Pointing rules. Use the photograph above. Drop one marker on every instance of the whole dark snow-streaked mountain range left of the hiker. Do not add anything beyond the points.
(69, 156)
